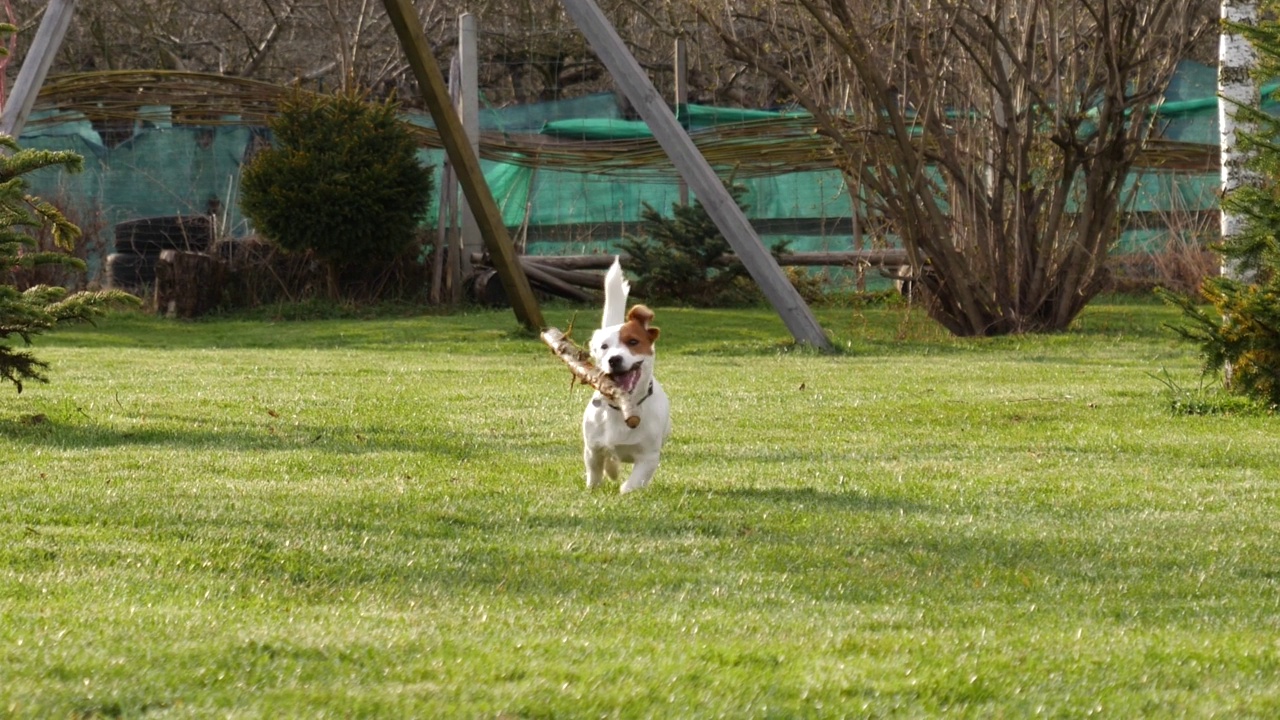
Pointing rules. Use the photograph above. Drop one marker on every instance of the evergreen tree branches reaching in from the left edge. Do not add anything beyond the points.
(40, 308)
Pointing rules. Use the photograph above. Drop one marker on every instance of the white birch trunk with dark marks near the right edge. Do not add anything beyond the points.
(1237, 89)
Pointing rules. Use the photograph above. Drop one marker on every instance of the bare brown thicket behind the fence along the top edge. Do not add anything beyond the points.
(529, 51)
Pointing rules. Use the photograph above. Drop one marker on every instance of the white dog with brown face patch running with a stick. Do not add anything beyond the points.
(624, 349)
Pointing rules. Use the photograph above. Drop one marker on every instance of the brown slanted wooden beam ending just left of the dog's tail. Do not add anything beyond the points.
(465, 163)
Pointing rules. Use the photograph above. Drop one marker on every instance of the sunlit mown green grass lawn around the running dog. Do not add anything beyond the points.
(387, 518)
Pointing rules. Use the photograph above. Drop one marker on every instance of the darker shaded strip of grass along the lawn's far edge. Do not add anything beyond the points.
(737, 332)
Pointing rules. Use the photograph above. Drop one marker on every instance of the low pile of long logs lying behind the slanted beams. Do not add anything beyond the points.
(579, 277)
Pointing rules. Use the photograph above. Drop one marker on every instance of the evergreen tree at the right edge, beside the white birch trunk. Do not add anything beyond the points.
(1241, 338)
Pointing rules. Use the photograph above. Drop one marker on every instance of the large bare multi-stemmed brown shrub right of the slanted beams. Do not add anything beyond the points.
(1000, 134)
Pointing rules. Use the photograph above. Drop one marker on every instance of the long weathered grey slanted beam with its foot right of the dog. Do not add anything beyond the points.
(698, 174)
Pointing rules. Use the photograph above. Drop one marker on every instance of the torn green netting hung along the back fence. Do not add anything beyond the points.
(156, 167)
